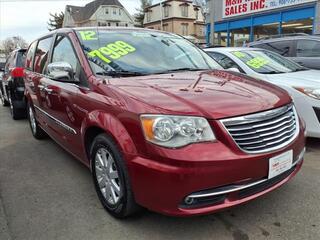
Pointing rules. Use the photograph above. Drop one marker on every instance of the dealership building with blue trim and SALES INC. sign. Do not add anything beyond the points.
(235, 22)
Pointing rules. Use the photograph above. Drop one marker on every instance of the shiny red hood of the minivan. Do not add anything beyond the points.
(212, 94)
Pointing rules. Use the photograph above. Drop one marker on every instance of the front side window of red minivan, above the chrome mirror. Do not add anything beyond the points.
(63, 52)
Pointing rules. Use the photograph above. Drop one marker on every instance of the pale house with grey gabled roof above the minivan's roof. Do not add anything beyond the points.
(98, 13)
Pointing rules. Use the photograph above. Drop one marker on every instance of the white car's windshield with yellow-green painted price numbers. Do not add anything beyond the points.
(266, 62)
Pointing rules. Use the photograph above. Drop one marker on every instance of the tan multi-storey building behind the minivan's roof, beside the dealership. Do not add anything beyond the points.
(177, 16)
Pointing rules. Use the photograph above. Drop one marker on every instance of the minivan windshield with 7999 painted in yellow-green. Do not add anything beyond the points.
(141, 52)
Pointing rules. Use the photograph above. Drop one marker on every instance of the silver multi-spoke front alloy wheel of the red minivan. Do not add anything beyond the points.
(107, 176)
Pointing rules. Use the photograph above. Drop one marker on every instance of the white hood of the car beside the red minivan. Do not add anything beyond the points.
(308, 78)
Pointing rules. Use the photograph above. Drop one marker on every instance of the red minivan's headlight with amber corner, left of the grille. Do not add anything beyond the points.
(175, 131)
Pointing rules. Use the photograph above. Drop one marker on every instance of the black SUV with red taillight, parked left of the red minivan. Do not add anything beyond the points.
(12, 84)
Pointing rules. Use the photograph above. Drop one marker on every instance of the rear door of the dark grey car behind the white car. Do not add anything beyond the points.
(307, 53)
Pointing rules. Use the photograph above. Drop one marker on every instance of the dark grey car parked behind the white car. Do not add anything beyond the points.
(304, 49)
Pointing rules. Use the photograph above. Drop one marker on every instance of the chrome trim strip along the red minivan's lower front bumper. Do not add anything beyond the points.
(241, 187)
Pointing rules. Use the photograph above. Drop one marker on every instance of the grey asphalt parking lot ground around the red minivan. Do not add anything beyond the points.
(47, 194)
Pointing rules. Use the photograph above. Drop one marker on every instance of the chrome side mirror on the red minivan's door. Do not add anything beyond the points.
(61, 71)
